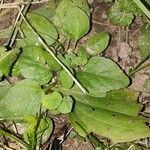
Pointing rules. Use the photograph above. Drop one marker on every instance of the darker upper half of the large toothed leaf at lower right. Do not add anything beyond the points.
(122, 100)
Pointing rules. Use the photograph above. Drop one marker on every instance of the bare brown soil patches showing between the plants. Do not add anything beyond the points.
(122, 49)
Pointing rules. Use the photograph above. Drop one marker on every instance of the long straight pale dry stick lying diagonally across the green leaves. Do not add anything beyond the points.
(50, 51)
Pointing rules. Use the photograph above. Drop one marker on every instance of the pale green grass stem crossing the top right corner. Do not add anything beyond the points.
(142, 7)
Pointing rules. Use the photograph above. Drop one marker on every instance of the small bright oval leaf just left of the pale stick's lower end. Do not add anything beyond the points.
(65, 79)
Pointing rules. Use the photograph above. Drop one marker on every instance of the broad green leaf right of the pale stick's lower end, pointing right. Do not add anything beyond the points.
(101, 75)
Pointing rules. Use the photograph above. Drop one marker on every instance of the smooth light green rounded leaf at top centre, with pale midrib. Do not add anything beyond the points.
(75, 23)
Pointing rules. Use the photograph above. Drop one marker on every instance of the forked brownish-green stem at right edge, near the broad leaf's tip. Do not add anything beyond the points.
(140, 66)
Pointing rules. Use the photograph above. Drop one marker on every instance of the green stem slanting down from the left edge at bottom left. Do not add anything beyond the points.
(13, 137)
